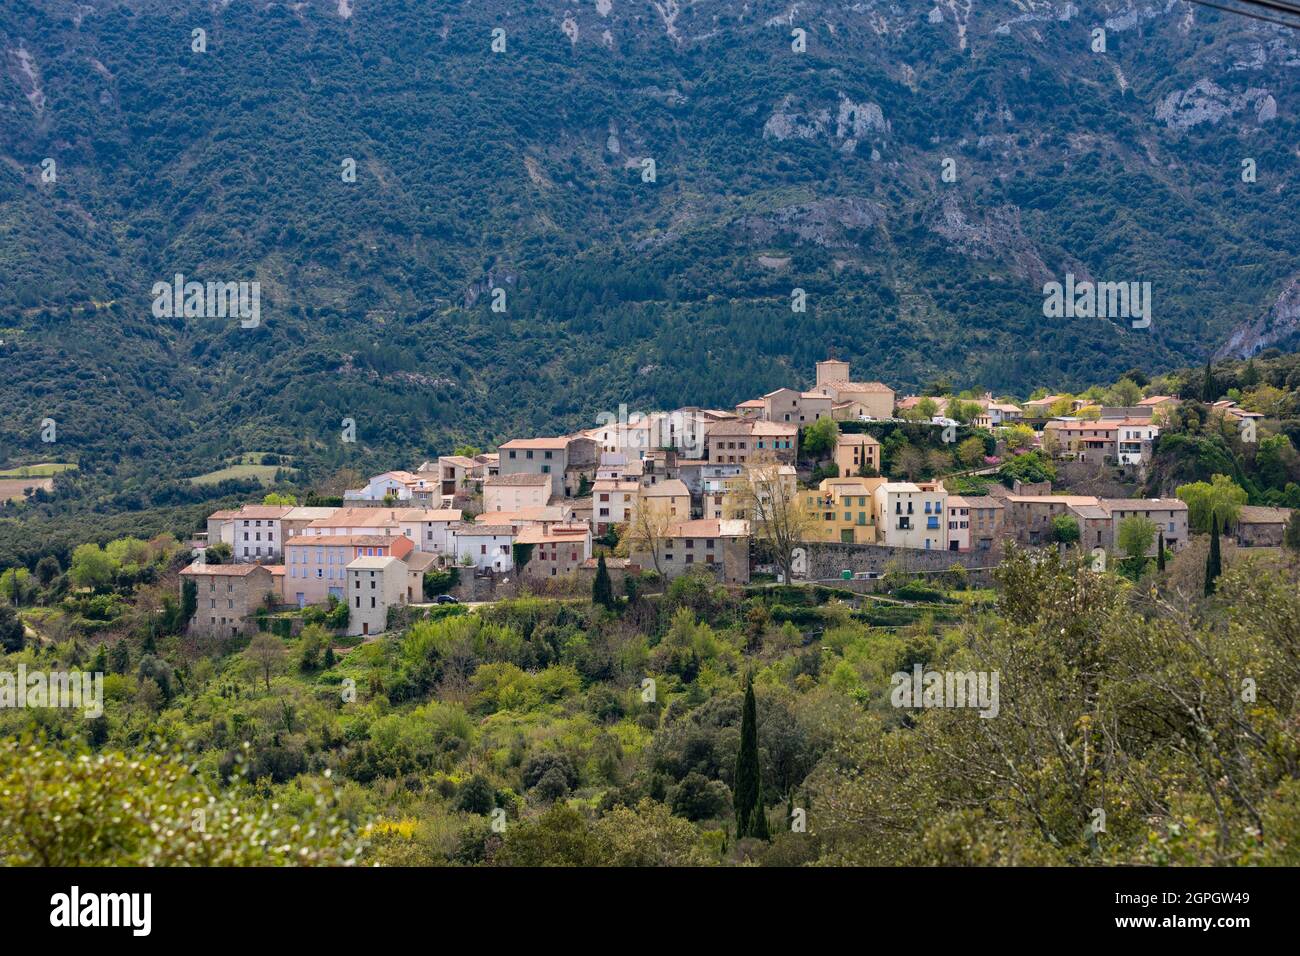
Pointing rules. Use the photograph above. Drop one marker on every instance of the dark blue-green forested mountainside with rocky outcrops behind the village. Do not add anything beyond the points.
(127, 158)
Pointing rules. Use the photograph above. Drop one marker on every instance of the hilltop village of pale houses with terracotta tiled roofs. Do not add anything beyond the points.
(787, 486)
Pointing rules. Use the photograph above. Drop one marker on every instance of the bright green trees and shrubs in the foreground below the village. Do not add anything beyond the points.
(1138, 723)
